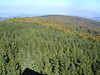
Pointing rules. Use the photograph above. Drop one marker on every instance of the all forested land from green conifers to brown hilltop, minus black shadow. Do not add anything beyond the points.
(52, 45)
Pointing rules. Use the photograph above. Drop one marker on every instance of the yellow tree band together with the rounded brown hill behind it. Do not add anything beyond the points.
(72, 23)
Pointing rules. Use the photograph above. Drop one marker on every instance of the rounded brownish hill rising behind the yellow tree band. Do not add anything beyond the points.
(75, 23)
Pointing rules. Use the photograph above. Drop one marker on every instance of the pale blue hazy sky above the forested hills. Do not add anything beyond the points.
(84, 8)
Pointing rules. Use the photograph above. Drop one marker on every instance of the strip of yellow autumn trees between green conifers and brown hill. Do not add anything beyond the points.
(48, 23)
